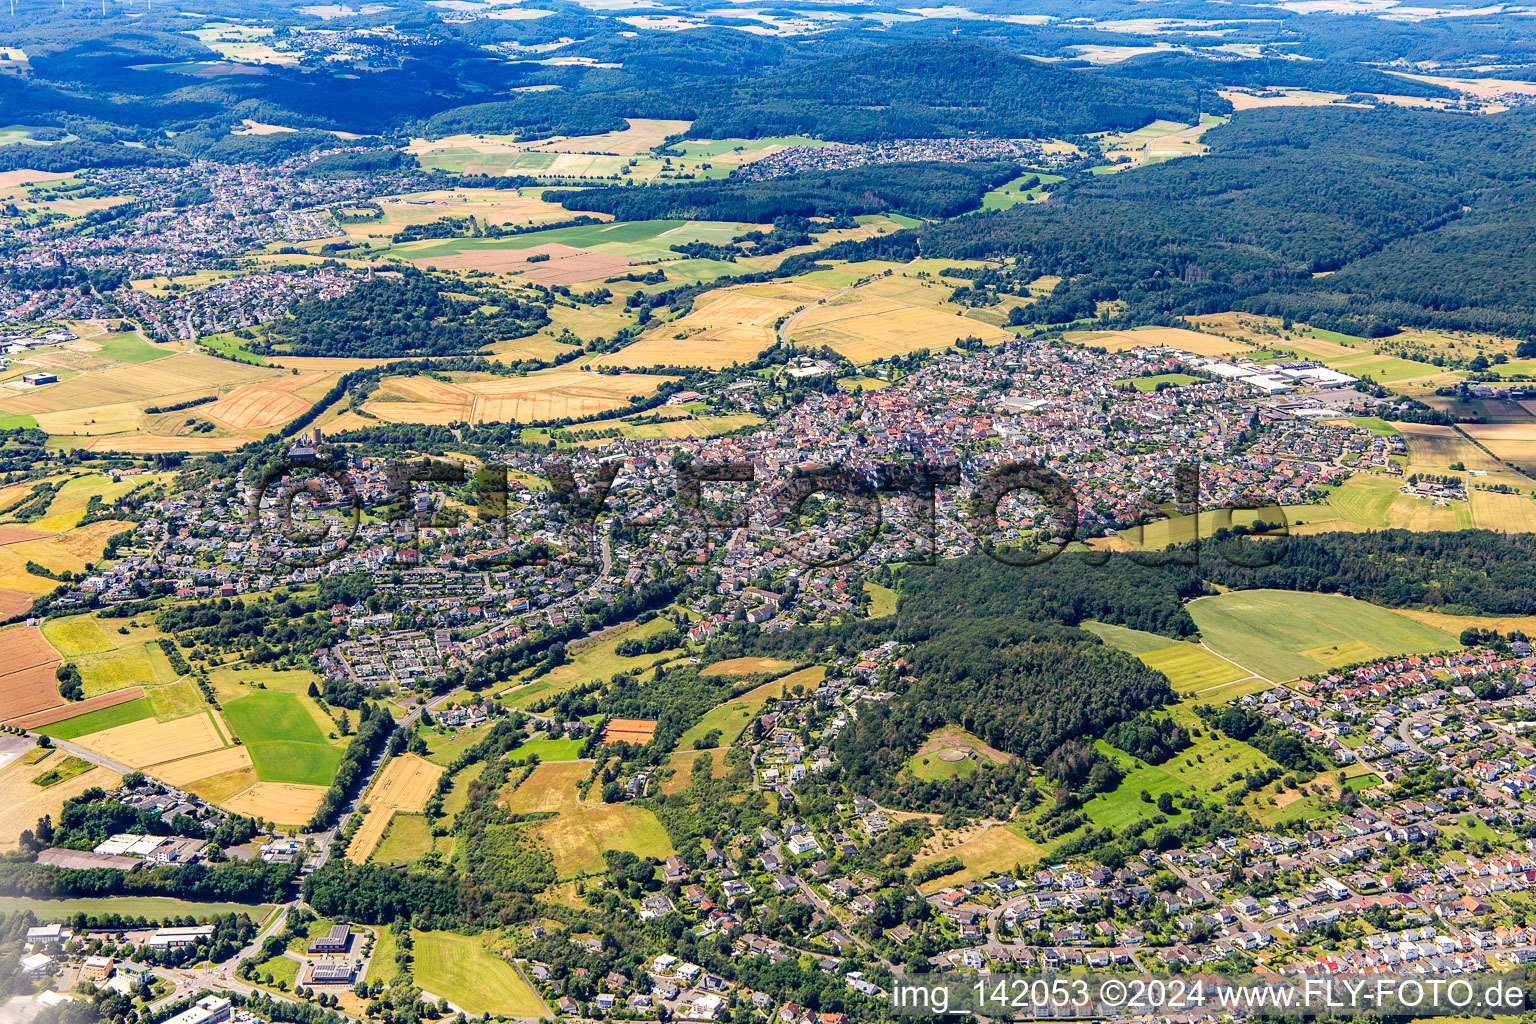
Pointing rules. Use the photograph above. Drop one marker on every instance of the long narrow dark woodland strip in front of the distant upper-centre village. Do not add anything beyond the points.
(922, 190)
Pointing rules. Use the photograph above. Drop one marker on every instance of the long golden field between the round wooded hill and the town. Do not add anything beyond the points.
(535, 398)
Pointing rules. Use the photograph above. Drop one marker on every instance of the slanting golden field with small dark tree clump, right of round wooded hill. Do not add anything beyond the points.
(724, 328)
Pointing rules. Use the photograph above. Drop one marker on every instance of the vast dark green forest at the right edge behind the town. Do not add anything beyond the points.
(1283, 197)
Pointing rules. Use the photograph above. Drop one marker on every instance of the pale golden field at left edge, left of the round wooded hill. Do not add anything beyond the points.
(159, 383)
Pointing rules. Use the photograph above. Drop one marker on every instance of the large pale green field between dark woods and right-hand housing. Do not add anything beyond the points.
(1283, 635)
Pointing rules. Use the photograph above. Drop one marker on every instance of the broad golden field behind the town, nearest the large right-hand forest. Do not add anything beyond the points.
(890, 315)
